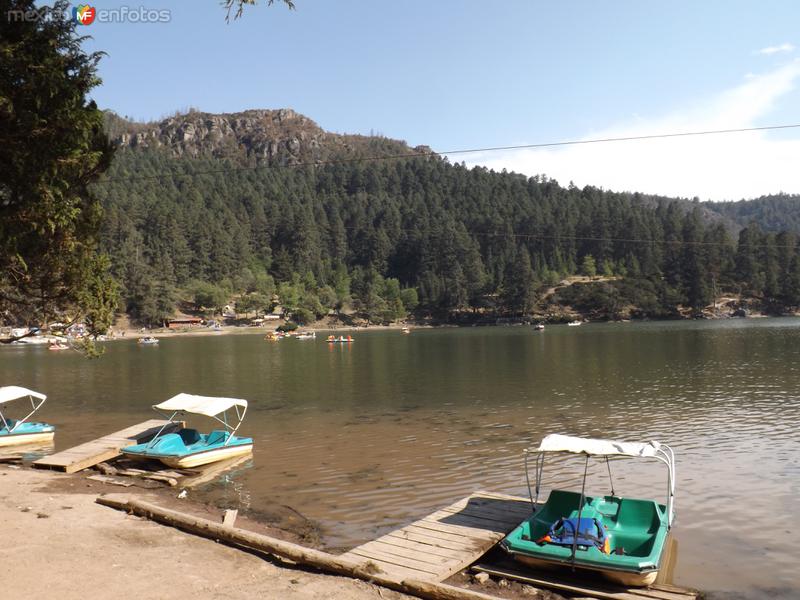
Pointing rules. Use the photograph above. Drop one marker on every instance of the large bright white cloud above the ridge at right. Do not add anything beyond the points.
(715, 167)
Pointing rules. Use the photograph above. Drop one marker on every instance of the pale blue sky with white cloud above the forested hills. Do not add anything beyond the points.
(460, 74)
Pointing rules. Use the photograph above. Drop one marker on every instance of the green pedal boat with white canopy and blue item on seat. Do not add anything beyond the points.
(620, 538)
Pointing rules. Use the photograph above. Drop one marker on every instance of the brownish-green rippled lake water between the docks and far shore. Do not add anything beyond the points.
(363, 438)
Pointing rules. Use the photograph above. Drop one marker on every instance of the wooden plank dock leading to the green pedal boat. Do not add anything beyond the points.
(447, 541)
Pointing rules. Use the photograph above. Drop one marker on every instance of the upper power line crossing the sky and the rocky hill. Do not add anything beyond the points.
(323, 163)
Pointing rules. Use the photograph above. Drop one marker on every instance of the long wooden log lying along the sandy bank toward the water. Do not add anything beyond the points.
(364, 570)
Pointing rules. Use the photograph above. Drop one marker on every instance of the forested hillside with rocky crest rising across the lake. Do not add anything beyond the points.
(212, 216)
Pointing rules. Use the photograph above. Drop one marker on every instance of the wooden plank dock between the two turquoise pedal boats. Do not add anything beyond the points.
(104, 448)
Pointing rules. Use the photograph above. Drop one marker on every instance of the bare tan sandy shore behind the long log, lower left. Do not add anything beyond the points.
(58, 543)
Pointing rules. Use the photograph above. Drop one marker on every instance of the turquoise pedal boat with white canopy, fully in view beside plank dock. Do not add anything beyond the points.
(189, 448)
